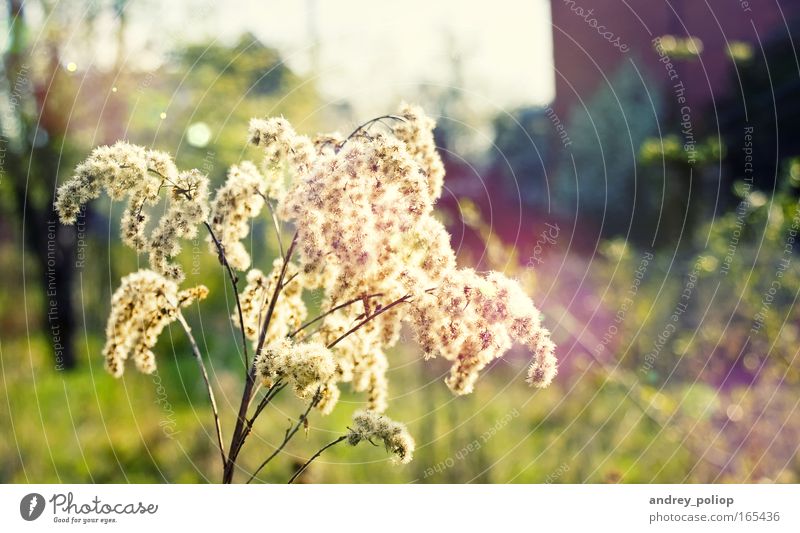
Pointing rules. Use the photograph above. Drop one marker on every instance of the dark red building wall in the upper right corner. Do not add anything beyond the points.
(582, 55)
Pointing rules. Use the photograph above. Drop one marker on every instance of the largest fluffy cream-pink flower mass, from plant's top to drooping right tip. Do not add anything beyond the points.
(363, 208)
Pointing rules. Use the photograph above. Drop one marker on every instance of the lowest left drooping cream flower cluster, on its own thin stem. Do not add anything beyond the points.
(143, 305)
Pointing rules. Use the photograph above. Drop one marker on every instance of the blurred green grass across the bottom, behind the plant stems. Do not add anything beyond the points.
(85, 426)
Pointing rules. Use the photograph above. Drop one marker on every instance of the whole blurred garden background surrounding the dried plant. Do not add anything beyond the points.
(635, 164)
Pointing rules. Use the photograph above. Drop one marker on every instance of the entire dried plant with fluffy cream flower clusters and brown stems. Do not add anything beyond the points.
(365, 235)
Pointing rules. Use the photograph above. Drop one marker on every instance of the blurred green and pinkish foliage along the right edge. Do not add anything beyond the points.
(722, 317)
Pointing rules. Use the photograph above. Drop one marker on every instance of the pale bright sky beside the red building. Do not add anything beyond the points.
(370, 53)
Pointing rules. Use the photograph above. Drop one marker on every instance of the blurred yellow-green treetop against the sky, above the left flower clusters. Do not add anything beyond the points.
(218, 88)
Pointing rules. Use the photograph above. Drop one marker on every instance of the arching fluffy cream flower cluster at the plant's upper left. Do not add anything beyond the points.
(127, 171)
